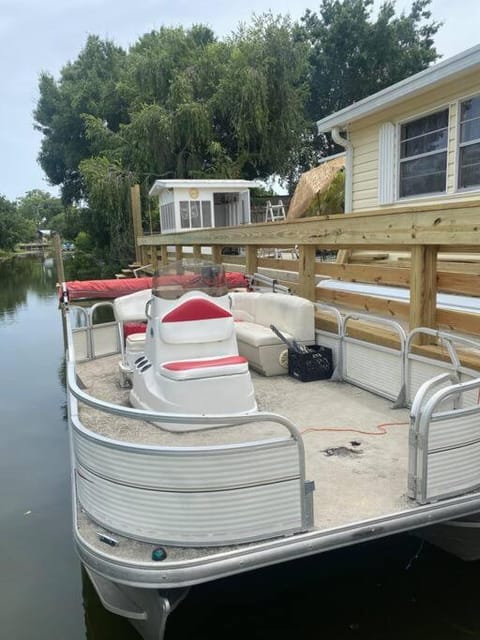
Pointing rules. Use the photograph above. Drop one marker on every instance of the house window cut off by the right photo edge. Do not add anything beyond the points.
(469, 144)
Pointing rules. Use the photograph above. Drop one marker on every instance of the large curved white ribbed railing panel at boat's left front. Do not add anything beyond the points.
(196, 495)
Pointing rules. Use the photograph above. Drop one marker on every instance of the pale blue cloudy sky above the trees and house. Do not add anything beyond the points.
(43, 36)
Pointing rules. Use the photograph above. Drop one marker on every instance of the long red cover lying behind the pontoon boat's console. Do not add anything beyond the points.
(114, 288)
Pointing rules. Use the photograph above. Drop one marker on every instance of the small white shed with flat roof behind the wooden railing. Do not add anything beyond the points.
(202, 204)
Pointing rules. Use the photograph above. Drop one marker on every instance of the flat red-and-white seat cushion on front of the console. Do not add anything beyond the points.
(204, 368)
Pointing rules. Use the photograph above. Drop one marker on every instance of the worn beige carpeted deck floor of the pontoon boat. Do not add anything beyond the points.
(359, 468)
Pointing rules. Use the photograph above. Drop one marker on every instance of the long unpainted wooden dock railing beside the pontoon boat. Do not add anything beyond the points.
(422, 233)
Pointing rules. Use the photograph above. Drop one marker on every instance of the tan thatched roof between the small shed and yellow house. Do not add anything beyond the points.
(312, 184)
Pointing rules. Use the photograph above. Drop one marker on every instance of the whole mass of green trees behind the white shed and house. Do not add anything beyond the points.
(181, 103)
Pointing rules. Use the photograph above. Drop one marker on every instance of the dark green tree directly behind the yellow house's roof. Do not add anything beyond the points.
(353, 55)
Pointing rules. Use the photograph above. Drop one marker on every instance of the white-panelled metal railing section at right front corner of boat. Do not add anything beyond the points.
(444, 442)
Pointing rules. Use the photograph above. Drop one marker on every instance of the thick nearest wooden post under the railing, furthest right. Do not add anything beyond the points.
(423, 287)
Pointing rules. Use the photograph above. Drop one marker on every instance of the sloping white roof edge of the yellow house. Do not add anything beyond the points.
(442, 72)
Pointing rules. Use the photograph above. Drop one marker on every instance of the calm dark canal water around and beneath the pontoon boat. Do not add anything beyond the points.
(391, 589)
